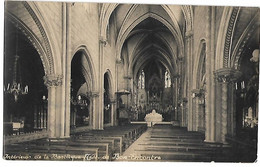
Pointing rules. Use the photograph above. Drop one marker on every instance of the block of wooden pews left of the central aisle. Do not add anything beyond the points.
(91, 145)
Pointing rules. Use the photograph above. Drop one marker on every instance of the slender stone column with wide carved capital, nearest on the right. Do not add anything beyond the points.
(225, 76)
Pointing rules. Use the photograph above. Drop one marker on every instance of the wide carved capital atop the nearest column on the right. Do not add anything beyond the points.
(226, 75)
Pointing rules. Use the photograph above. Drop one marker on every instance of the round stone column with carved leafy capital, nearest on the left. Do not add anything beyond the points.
(52, 81)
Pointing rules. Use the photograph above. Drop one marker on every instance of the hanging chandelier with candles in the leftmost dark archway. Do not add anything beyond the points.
(16, 88)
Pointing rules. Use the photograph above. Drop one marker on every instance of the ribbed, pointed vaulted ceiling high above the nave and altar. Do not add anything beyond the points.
(148, 33)
